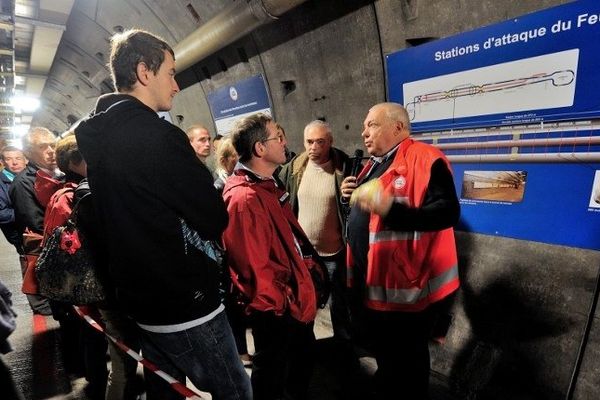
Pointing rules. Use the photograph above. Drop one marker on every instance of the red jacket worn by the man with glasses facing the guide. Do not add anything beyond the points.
(264, 263)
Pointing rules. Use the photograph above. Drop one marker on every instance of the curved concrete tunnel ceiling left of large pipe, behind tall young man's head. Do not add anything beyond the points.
(61, 48)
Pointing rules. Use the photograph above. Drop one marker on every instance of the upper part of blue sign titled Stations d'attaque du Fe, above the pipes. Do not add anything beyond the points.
(539, 67)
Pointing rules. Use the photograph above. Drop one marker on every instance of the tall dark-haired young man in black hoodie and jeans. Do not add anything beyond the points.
(154, 222)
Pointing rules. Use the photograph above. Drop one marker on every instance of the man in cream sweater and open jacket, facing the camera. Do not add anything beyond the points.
(313, 179)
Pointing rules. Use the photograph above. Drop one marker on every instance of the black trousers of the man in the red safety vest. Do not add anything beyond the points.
(401, 347)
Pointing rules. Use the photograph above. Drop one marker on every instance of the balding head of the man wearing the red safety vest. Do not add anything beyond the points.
(386, 125)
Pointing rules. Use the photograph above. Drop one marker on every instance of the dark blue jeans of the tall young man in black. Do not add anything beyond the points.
(206, 354)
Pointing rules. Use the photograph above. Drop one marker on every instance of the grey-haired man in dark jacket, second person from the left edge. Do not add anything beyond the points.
(39, 146)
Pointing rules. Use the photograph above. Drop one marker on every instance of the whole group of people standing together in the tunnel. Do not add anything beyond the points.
(289, 227)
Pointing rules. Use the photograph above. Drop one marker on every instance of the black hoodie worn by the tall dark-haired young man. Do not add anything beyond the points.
(145, 177)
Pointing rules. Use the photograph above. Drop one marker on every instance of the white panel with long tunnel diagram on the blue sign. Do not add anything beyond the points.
(529, 84)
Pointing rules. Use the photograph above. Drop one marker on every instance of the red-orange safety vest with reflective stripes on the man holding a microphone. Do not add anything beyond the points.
(407, 271)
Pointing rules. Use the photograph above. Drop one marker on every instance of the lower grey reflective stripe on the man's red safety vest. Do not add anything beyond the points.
(412, 295)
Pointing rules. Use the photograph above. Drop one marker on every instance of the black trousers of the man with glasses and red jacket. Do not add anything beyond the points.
(284, 356)
